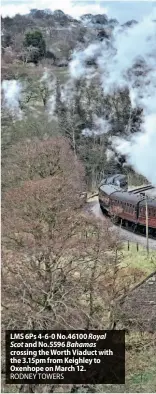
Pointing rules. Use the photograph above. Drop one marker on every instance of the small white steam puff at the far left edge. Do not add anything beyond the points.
(12, 91)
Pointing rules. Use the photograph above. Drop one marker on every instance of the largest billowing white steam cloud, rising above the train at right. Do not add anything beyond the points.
(116, 62)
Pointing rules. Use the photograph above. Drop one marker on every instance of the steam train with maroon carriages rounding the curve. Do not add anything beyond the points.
(128, 207)
